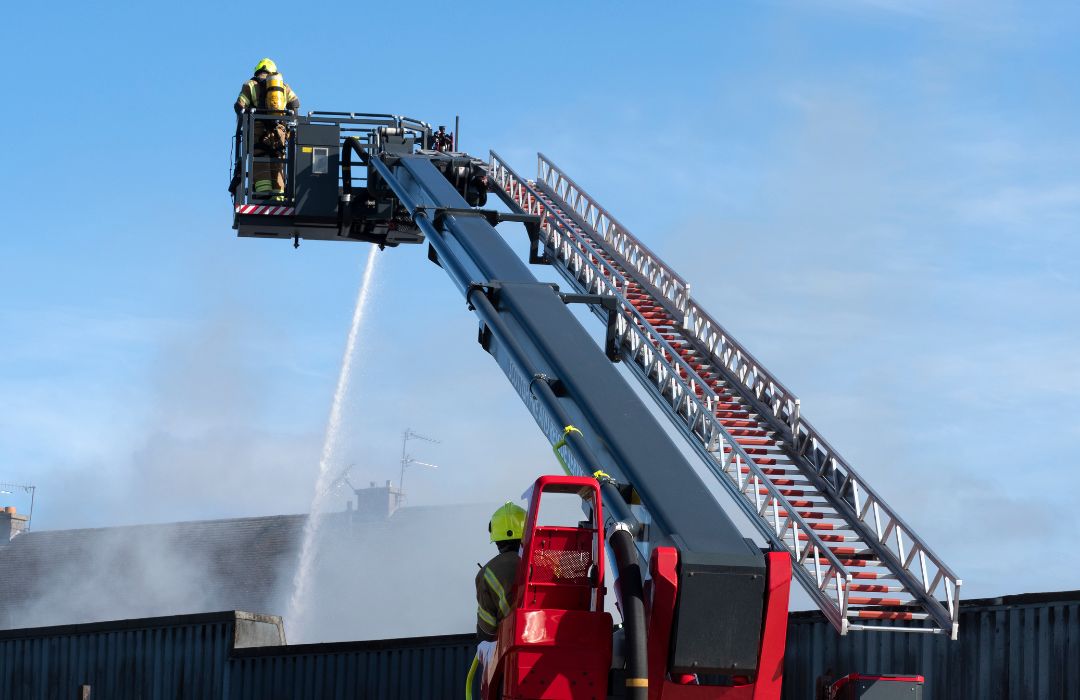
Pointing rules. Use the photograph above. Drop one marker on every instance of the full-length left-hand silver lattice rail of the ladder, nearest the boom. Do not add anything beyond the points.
(651, 352)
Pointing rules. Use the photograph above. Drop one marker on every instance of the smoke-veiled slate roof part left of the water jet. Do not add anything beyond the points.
(89, 575)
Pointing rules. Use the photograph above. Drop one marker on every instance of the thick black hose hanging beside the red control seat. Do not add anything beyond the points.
(632, 602)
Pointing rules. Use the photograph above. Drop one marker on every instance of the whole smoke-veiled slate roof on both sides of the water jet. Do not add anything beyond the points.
(421, 561)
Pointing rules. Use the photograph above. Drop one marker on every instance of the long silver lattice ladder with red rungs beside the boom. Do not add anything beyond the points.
(861, 563)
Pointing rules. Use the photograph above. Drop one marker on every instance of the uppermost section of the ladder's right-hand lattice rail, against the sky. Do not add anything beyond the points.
(626, 246)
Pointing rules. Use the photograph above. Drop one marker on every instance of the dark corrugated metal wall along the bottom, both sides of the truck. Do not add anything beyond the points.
(1018, 648)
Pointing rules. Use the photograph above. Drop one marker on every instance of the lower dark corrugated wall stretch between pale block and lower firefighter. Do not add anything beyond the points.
(418, 669)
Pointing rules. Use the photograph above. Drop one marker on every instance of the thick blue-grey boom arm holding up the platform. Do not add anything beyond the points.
(565, 379)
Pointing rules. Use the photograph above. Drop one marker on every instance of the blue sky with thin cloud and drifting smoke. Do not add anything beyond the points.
(880, 198)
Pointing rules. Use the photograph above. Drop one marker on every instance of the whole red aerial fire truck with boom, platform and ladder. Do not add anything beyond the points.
(704, 610)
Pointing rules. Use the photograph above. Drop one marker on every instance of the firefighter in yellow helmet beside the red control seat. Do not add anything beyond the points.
(495, 582)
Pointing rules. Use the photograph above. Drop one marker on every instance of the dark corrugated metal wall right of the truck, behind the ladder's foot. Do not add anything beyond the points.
(1021, 648)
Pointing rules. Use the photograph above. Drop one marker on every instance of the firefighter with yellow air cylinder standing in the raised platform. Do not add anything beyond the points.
(267, 93)
